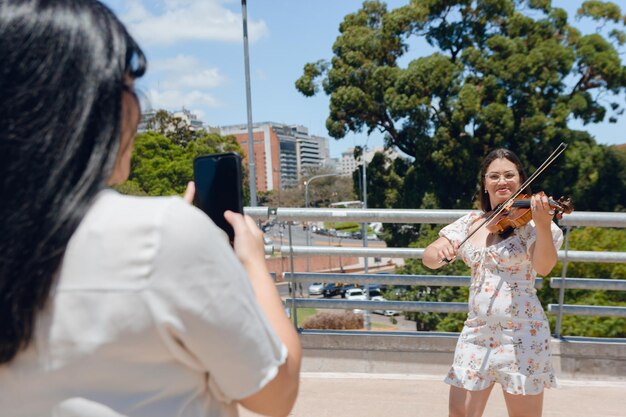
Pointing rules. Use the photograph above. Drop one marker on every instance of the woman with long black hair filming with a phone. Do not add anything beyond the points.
(109, 304)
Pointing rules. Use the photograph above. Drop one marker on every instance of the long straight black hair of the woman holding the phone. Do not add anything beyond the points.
(62, 69)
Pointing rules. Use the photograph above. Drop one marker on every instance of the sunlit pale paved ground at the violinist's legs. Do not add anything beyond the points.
(389, 395)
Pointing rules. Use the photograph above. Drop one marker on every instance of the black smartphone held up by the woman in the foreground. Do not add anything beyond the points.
(219, 187)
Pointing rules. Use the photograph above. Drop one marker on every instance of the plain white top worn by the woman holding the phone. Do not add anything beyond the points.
(152, 315)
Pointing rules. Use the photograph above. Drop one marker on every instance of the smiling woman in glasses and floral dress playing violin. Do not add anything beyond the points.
(506, 337)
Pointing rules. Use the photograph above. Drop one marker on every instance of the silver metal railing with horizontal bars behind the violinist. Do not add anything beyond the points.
(576, 219)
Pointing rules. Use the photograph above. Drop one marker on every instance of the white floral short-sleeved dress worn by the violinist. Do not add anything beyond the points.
(506, 337)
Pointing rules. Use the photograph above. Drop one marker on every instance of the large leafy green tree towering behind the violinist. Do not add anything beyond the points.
(500, 77)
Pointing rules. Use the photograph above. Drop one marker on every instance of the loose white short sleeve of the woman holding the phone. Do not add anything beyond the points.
(205, 308)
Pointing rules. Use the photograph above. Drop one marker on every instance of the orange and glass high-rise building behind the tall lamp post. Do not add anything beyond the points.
(281, 152)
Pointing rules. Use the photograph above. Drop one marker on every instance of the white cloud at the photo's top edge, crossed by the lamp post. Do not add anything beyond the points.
(189, 20)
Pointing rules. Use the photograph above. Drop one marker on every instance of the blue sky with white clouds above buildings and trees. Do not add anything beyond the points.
(196, 59)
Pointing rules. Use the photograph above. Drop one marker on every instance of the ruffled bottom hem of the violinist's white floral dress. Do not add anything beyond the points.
(513, 383)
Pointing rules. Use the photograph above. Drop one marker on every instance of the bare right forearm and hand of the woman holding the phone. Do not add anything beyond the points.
(279, 395)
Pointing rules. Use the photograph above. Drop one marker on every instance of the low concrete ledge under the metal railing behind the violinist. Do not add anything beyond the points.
(432, 353)
